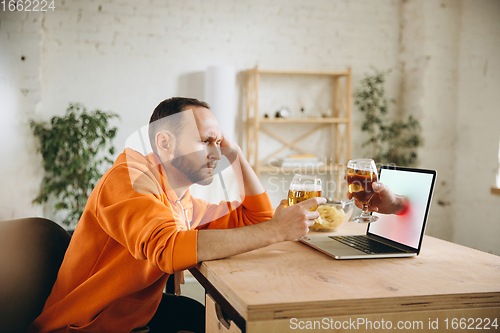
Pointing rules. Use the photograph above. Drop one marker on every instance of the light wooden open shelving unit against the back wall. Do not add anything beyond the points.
(256, 124)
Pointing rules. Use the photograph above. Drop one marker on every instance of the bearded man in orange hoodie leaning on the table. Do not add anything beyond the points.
(141, 225)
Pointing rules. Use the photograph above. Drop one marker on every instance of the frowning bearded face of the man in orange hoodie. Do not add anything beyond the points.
(196, 154)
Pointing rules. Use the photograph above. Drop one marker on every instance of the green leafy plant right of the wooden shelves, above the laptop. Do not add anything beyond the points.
(390, 141)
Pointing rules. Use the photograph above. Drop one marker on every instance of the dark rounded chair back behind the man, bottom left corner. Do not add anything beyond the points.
(31, 252)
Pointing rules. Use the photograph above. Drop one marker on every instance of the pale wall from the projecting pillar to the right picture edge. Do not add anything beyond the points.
(450, 57)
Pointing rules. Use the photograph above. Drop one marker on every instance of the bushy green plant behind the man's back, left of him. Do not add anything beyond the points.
(75, 150)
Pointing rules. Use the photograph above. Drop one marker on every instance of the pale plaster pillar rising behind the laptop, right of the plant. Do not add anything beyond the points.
(429, 62)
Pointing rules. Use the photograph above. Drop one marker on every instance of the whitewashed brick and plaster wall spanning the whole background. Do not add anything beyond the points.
(126, 56)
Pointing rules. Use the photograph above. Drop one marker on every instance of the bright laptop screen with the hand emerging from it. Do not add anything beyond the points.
(417, 185)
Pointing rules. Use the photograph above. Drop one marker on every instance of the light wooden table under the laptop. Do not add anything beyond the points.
(288, 286)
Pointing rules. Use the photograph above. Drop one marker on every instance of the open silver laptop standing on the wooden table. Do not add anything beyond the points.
(392, 236)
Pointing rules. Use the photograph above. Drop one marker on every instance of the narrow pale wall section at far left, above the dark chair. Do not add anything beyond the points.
(20, 93)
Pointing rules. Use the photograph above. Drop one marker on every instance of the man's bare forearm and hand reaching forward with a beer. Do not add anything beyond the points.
(288, 223)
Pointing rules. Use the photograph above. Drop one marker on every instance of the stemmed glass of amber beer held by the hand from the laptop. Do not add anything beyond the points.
(361, 174)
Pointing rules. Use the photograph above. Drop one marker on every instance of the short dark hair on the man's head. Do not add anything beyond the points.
(167, 108)
